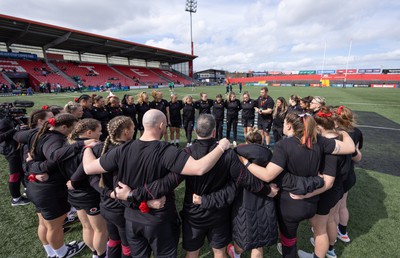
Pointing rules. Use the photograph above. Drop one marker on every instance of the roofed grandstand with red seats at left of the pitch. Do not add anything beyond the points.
(34, 53)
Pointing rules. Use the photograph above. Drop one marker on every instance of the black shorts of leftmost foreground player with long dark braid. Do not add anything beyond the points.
(50, 200)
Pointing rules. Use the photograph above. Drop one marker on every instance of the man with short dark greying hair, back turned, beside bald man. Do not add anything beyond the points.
(199, 223)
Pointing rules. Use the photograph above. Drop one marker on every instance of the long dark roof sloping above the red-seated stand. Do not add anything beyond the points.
(15, 30)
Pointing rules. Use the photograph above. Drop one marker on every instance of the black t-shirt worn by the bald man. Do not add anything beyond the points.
(141, 162)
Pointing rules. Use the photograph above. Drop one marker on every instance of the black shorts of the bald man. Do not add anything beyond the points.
(161, 238)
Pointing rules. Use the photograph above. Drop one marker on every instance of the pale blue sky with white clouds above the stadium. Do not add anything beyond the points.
(285, 35)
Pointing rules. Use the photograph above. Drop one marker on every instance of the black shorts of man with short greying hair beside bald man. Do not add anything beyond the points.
(218, 236)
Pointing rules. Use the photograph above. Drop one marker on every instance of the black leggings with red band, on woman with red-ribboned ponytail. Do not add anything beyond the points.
(290, 213)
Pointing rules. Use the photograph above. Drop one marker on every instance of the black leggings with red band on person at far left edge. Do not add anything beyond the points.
(16, 173)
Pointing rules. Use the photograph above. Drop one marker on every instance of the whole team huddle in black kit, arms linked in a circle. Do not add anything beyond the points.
(88, 155)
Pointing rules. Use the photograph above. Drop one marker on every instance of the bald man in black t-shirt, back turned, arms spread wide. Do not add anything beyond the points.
(141, 162)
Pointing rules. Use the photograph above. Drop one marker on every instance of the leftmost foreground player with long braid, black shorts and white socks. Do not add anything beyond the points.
(47, 187)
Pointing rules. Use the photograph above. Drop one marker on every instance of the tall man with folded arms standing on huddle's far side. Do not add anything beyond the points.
(265, 106)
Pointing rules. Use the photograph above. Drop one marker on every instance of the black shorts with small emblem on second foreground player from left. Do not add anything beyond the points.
(89, 202)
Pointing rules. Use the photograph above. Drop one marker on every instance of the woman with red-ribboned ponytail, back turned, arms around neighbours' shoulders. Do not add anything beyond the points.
(299, 154)
